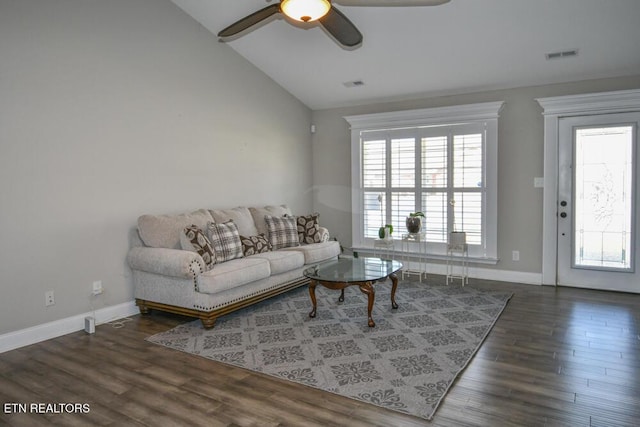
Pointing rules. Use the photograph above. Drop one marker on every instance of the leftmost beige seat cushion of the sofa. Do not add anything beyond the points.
(234, 273)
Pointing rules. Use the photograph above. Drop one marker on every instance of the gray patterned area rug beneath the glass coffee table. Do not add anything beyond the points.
(406, 363)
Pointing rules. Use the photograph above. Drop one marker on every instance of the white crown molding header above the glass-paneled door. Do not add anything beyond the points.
(591, 103)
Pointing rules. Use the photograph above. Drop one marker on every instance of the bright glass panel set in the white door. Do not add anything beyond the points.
(603, 195)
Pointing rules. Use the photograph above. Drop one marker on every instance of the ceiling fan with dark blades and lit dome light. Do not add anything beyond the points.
(322, 11)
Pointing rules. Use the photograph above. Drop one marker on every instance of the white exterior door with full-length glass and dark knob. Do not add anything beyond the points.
(598, 193)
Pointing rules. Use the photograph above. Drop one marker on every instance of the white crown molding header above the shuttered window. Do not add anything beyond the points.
(426, 116)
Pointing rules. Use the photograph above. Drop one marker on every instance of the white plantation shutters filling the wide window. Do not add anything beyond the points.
(443, 173)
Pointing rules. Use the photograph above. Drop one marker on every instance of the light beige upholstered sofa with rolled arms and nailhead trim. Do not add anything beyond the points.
(169, 278)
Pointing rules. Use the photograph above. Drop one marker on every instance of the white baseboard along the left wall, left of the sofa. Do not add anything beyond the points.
(35, 334)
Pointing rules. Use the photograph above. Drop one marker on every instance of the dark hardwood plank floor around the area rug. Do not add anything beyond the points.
(556, 357)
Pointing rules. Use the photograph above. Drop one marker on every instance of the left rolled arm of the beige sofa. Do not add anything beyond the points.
(167, 262)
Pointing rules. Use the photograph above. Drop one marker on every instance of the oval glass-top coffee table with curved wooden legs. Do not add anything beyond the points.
(361, 272)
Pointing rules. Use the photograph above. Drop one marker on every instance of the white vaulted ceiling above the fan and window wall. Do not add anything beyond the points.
(459, 47)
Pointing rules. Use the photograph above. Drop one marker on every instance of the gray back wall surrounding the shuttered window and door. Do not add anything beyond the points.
(520, 151)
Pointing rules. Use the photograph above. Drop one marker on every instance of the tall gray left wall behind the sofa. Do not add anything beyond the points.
(111, 109)
